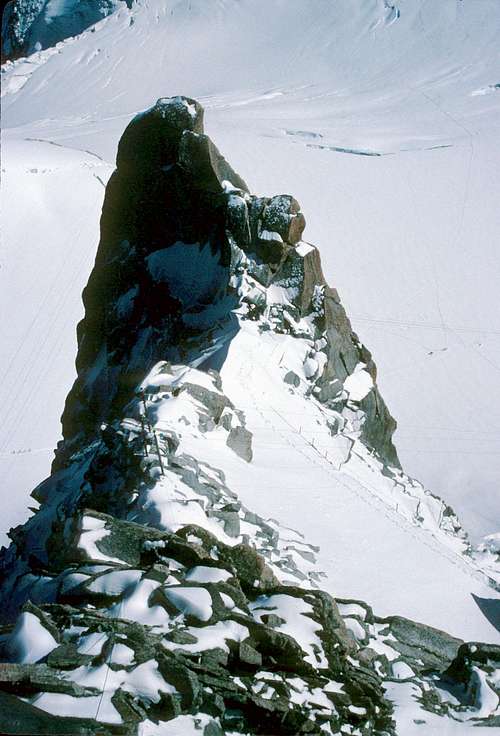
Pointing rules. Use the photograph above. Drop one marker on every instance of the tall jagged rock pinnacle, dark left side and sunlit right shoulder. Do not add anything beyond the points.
(183, 244)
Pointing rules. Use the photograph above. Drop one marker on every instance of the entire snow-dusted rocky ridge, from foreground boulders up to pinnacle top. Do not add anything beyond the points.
(143, 594)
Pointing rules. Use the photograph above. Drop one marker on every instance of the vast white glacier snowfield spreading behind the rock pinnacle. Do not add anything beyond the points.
(408, 236)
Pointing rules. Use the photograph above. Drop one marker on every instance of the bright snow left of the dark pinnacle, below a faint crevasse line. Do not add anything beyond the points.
(48, 242)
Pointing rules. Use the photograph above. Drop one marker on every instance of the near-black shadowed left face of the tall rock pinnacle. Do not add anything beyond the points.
(165, 226)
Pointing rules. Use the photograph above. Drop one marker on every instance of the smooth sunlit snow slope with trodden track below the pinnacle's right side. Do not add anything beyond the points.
(299, 476)
